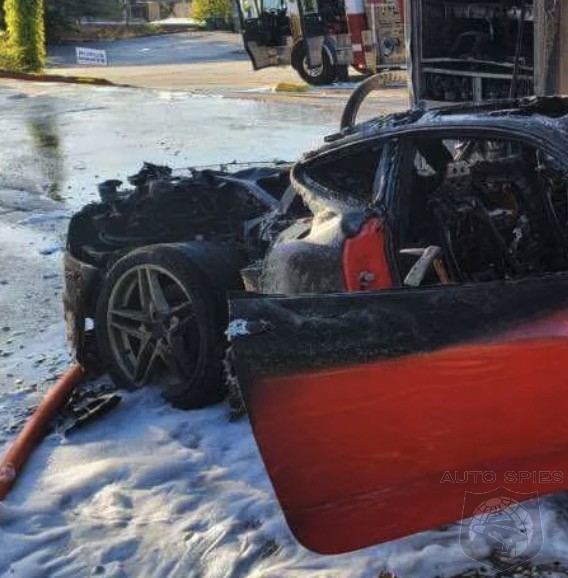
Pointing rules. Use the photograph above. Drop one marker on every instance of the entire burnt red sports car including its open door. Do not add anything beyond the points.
(397, 309)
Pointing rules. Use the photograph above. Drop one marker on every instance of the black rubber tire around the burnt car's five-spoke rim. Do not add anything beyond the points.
(180, 279)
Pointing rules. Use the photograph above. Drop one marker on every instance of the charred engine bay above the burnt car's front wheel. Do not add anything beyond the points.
(240, 209)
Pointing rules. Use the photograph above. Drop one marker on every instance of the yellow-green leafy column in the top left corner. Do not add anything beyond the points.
(26, 32)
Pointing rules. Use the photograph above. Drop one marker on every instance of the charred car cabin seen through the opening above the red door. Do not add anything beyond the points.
(496, 209)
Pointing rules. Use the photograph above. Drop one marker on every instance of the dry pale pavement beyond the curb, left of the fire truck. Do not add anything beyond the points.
(206, 62)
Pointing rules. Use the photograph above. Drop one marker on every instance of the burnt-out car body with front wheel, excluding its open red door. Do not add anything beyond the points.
(466, 195)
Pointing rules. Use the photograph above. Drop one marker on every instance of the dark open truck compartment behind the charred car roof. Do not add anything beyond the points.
(475, 50)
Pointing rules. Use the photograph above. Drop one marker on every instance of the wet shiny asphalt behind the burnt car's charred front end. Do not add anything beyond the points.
(60, 140)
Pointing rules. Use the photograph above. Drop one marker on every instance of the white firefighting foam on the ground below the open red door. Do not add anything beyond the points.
(151, 491)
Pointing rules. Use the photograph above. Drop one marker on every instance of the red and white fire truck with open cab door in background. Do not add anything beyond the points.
(322, 38)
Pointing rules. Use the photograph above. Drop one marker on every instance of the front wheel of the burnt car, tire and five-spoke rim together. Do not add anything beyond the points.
(155, 323)
